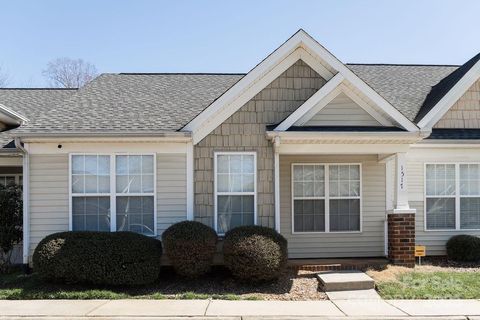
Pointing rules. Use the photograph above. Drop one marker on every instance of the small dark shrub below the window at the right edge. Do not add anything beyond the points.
(464, 248)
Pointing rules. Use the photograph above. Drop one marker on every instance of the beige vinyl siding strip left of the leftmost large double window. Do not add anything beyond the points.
(49, 211)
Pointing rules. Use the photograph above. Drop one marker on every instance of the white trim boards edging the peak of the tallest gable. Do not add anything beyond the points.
(299, 46)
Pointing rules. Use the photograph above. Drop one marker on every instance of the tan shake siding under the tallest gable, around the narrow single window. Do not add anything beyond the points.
(245, 131)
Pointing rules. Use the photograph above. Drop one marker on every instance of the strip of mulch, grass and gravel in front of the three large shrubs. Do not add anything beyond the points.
(216, 285)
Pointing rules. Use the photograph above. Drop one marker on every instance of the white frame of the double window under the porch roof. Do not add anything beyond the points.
(326, 197)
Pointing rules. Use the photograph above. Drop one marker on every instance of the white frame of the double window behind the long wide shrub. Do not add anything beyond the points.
(113, 188)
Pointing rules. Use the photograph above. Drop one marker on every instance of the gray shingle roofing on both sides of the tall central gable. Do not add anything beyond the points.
(158, 103)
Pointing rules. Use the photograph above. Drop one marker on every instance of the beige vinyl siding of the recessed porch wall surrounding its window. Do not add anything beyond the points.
(368, 243)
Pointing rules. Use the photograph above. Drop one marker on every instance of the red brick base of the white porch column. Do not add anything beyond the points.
(401, 239)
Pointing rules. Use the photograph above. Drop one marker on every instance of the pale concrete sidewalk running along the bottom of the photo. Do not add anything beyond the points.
(233, 310)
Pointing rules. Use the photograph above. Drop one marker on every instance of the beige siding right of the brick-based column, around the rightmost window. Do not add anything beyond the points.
(435, 241)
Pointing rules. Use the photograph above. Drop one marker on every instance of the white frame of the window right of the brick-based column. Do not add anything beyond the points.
(457, 197)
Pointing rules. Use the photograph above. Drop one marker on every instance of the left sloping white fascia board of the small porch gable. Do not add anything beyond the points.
(325, 94)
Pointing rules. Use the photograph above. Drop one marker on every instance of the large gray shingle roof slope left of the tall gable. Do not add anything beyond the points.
(133, 103)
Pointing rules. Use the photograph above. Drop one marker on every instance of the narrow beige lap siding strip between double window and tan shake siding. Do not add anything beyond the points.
(171, 190)
